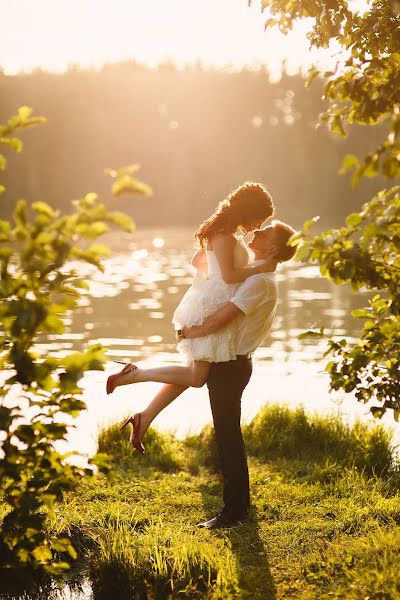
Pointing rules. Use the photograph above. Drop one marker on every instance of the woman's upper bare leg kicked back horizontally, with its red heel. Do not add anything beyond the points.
(194, 375)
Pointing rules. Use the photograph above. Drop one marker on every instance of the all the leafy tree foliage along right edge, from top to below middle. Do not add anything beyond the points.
(363, 89)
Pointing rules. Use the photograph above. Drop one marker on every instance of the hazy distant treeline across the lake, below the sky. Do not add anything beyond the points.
(197, 134)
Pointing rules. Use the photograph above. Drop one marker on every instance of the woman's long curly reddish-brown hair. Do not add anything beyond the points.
(246, 206)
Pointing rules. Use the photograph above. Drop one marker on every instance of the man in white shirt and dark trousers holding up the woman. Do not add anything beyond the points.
(252, 308)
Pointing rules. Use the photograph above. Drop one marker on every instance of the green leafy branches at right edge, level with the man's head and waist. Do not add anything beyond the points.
(365, 253)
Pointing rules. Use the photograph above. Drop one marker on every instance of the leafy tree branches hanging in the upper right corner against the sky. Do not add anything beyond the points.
(364, 87)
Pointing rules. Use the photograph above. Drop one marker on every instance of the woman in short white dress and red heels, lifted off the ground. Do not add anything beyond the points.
(244, 210)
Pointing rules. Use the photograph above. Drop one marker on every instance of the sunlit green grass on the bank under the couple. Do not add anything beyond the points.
(325, 517)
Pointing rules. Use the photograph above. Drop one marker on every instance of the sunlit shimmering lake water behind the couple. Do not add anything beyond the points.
(129, 309)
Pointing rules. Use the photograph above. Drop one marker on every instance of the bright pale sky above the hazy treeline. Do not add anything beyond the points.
(53, 34)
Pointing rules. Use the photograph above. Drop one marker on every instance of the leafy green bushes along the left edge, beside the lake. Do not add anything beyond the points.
(40, 395)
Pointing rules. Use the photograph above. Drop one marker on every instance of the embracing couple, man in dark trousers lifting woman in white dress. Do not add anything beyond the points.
(221, 320)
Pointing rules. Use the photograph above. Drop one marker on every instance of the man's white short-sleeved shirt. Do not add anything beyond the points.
(257, 297)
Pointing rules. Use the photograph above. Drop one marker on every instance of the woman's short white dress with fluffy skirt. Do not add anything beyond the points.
(207, 294)
